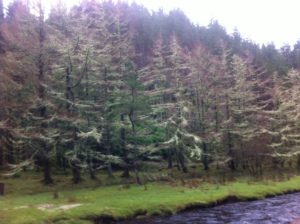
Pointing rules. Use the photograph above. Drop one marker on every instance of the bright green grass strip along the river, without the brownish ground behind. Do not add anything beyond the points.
(121, 203)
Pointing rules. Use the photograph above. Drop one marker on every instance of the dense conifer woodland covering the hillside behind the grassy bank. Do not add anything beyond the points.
(111, 86)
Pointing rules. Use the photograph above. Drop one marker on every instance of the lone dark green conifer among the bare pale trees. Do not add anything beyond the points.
(132, 103)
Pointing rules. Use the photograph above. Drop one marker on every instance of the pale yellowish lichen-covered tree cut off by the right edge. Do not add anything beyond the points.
(285, 119)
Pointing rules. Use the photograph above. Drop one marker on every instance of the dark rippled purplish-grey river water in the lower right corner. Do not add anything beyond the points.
(279, 210)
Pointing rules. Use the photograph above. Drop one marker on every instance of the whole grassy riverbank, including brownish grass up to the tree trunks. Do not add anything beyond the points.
(23, 197)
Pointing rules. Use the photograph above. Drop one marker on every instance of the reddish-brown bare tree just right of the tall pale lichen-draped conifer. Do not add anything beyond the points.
(206, 95)
